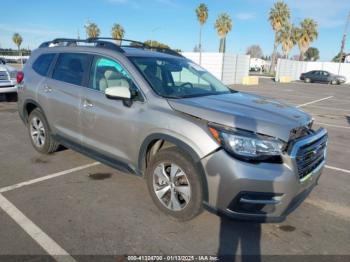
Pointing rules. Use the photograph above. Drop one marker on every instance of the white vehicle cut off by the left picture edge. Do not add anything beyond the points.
(8, 80)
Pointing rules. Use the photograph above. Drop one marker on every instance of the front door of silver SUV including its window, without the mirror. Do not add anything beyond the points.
(109, 126)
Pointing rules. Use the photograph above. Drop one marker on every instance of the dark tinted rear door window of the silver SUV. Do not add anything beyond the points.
(71, 67)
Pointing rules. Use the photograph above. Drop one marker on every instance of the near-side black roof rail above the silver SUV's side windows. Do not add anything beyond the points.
(74, 42)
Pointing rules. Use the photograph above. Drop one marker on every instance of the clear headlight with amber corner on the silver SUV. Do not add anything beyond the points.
(248, 146)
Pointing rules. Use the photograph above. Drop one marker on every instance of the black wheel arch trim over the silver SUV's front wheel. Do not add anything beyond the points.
(182, 145)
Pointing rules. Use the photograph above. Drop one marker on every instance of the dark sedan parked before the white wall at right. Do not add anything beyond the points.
(321, 76)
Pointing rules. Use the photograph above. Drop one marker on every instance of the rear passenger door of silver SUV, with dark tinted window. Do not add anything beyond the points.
(63, 90)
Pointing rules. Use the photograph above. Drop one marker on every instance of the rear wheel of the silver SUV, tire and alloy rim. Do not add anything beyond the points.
(42, 141)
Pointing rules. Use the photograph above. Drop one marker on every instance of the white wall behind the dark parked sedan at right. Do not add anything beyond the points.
(294, 69)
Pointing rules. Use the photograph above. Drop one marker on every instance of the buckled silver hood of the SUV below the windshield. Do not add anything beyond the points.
(245, 111)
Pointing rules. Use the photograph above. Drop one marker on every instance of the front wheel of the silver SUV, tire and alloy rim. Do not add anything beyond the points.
(184, 204)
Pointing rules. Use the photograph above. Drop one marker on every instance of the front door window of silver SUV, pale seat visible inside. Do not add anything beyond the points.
(108, 73)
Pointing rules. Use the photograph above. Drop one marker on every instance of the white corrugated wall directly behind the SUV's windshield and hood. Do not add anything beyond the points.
(229, 68)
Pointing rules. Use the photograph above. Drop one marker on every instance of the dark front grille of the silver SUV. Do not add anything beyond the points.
(310, 156)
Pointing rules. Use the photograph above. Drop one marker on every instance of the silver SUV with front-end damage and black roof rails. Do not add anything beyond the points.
(158, 115)
